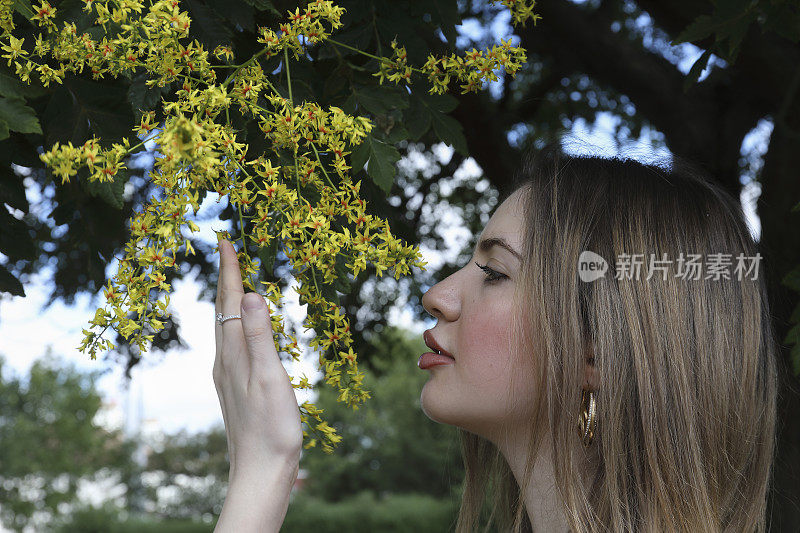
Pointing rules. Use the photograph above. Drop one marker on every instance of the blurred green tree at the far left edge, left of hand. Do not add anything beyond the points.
(50, 439)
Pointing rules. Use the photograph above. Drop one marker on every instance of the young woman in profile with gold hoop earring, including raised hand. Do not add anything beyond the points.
(612, 361)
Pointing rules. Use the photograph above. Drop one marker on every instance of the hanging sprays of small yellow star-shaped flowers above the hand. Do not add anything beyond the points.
(310, 208)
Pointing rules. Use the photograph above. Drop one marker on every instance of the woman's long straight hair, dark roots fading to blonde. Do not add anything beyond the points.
(686, 401)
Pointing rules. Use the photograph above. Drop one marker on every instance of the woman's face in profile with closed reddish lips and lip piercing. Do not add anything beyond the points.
(474, 324)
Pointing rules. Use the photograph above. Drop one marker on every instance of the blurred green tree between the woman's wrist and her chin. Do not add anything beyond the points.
(389, 445)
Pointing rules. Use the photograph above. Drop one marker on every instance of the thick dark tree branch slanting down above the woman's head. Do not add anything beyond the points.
(705, 125)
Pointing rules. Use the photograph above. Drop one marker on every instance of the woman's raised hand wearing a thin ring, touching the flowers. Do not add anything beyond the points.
(262, 419)
